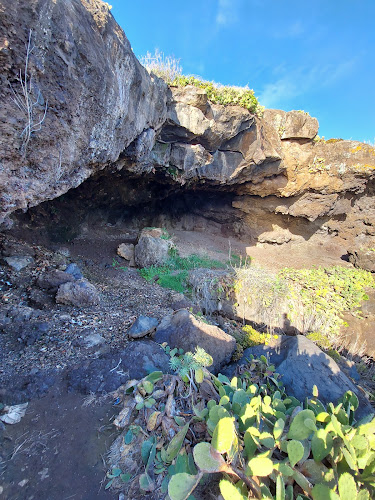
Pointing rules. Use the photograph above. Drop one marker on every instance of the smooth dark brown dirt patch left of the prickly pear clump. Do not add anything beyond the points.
(58, 450)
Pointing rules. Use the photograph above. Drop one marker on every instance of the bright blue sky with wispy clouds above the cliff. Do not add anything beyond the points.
(317, 56)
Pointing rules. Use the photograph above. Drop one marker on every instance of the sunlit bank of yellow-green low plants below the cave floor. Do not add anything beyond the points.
(313, 300)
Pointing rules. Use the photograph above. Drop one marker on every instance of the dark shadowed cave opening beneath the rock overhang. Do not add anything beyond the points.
(109, 209)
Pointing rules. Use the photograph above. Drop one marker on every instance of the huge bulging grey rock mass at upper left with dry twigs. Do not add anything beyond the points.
(83, 71)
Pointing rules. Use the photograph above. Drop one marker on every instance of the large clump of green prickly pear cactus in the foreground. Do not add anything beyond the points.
(265, 443)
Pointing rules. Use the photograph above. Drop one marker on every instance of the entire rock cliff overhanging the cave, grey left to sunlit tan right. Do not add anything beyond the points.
(105, 113)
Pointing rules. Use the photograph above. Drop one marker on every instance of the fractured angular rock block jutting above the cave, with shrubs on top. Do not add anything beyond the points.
(223, 144)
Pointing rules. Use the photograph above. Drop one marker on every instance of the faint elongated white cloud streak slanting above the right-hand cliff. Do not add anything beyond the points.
(301, 81)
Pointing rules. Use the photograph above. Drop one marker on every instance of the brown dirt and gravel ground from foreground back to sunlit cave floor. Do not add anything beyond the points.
(58, 450)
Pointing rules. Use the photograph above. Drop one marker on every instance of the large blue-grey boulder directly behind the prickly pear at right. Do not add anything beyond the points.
(302, 365)
